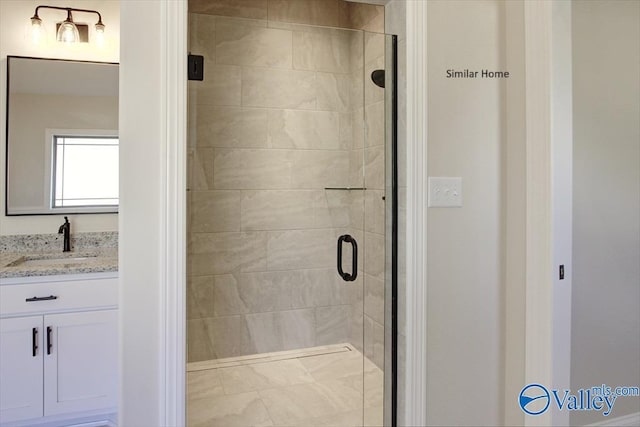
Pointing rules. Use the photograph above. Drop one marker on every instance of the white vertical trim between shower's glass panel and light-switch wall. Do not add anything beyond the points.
(415, 372)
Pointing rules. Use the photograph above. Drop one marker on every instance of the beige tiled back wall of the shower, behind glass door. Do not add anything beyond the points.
(272, 124)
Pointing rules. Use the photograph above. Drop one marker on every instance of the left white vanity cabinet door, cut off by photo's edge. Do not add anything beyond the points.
(20, 368)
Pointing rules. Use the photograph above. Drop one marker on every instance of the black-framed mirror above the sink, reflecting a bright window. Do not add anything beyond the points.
(62, 137)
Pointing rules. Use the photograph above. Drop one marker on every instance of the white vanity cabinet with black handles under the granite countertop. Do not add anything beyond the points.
(58, 351)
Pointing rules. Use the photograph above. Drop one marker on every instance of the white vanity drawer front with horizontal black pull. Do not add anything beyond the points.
(69, 295)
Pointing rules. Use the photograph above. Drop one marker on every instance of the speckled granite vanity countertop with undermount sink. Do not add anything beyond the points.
(12, 264)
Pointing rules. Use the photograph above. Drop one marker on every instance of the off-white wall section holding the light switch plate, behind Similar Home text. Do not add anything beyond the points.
(465, 134)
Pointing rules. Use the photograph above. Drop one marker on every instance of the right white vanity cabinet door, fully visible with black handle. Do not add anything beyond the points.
(80, 361)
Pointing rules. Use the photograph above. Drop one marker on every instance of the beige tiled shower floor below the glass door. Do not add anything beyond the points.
(319, 386)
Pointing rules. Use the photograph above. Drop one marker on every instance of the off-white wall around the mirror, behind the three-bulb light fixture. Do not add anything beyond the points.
(15, 39)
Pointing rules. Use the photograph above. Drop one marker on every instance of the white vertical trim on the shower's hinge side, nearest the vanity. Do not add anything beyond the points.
(174, 15)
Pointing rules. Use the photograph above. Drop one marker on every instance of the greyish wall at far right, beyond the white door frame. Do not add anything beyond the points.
(605, 342)
